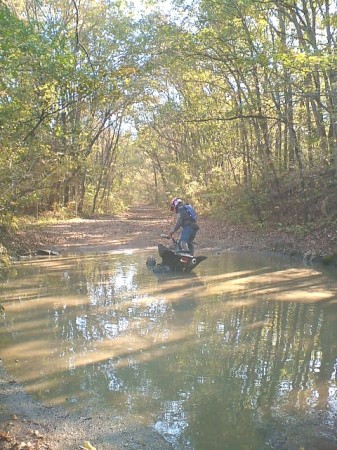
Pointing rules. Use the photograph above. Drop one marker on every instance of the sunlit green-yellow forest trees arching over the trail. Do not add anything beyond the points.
(229, 103)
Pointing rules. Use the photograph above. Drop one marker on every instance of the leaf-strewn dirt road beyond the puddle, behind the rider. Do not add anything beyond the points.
(141, 227)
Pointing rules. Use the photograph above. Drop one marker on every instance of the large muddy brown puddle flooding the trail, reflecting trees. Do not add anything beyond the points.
(239, 355)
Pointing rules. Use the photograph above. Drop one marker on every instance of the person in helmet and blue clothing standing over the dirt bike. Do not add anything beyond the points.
(187, 220)
